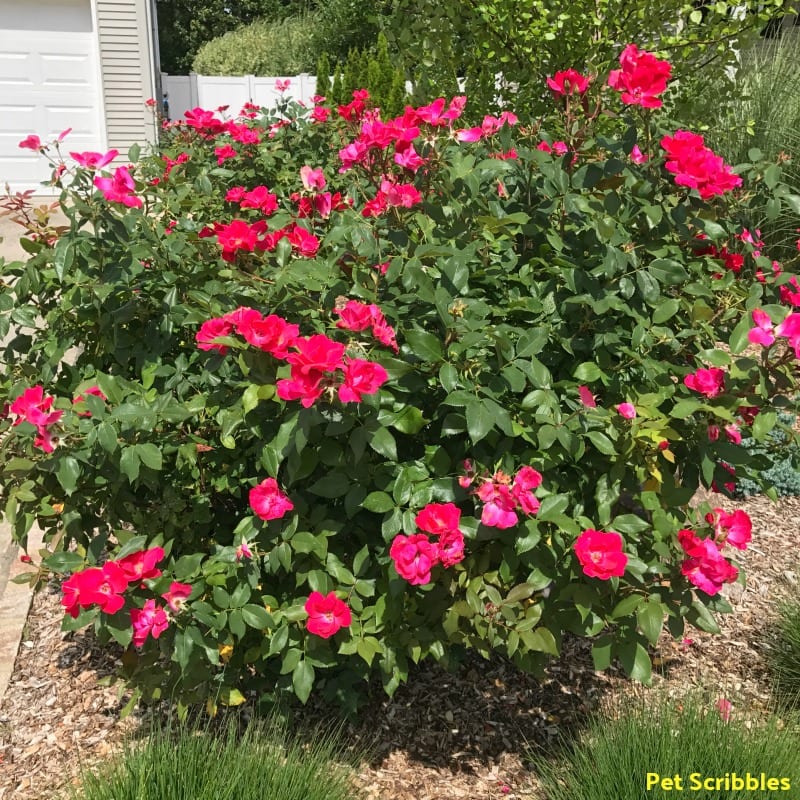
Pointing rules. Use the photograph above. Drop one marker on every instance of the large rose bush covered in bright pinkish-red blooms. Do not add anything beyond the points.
(347, 392)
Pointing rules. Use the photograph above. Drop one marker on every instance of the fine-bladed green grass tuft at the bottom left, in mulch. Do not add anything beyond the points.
(262, 762)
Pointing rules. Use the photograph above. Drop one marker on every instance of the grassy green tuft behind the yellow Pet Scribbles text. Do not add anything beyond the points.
(688, 739)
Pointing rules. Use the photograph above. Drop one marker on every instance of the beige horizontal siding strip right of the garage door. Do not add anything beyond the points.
(127, 66)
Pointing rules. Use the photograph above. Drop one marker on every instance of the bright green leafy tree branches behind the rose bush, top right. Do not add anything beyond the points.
(480, 39)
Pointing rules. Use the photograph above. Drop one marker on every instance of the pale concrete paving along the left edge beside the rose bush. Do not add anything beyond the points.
(15, 599)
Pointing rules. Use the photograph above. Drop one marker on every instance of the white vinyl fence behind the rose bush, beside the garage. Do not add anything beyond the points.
(184, 92)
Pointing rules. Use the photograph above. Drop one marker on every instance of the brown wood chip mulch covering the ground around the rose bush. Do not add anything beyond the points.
(443, 736)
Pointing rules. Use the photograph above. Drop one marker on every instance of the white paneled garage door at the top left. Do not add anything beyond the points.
(49, 81)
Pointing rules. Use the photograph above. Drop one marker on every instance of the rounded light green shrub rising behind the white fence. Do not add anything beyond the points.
(263, 48)
